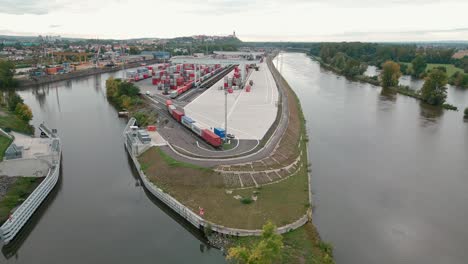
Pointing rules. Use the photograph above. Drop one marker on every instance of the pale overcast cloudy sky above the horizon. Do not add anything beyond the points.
(253, 20)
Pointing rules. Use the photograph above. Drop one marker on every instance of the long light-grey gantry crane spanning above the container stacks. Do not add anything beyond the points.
(213, 61)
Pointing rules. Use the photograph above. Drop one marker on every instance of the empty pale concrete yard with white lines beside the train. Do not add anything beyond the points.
(250, 114)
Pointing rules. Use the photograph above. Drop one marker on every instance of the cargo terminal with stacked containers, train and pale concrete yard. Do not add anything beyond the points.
(208, 100)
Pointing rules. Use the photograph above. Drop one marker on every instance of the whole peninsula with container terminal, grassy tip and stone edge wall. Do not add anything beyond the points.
(263, 134)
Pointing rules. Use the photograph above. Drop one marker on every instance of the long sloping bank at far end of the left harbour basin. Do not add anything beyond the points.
(33, 81)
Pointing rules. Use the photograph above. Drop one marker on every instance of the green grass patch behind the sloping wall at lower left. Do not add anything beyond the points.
(16, 194)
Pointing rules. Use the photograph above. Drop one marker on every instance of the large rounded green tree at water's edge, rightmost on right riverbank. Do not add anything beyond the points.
(434, 91)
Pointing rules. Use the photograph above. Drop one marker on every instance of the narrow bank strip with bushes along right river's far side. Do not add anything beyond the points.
(401, 89)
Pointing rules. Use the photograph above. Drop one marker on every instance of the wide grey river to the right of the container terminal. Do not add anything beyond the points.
(389, 174)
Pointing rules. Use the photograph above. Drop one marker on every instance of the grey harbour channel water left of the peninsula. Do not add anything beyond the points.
(99, 212)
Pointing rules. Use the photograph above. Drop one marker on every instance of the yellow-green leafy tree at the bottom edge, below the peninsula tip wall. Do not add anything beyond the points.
(266, 251)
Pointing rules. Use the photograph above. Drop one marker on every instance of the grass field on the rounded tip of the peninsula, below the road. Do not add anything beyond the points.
(202, 187)
